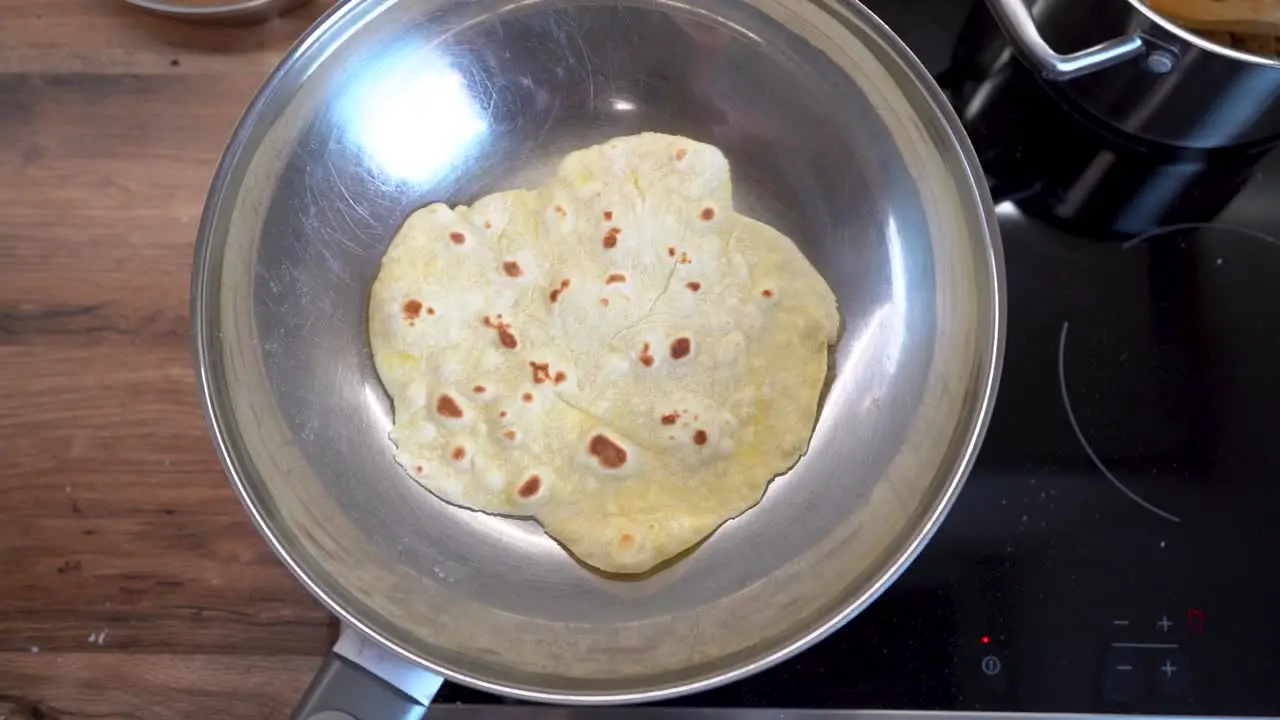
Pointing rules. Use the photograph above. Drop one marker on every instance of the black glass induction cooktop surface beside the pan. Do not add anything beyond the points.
(1117, 546)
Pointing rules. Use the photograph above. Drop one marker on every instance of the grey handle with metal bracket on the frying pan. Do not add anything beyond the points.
(362, 681)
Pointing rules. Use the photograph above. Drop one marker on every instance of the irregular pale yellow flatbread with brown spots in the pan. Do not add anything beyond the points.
(616, 354)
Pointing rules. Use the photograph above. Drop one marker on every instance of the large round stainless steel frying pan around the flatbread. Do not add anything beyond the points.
(835, 135)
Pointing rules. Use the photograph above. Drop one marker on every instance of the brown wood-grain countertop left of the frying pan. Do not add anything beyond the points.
(134, 585)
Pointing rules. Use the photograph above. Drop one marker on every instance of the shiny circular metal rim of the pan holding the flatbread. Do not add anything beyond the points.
(205, 322)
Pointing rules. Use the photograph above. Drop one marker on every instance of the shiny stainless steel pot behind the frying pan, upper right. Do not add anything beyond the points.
(1144, 75)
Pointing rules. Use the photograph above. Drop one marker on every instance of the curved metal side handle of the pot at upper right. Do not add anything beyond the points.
(1018, 24)
